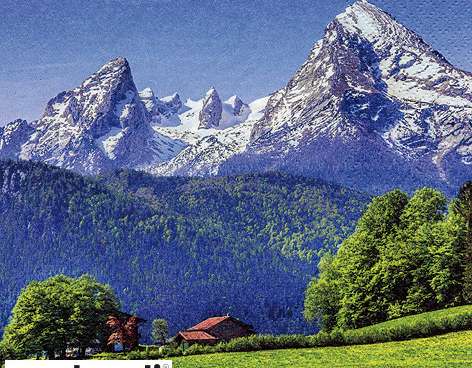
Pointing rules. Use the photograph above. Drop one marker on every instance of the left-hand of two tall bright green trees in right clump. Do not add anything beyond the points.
(360, 256)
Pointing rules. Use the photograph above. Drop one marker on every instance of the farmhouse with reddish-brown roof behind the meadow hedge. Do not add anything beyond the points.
(214, 330)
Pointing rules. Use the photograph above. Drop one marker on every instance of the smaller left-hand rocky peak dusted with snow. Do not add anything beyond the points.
(100, 125)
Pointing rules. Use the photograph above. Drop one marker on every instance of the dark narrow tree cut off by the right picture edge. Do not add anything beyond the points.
(463, 206)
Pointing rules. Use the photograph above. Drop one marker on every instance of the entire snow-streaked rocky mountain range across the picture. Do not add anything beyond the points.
(374, 107)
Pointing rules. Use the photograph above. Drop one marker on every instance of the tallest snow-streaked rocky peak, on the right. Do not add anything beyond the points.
(373, 107)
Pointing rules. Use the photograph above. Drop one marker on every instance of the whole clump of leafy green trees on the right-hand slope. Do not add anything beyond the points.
(407, 255)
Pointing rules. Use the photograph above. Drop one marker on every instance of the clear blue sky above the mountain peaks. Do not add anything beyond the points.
(249, 48)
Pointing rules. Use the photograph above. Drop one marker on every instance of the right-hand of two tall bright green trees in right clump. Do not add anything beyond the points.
(405, 262)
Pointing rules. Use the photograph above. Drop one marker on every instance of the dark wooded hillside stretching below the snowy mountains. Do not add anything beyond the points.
(181, 249)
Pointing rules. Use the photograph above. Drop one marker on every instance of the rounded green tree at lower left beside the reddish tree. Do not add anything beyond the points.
(60, 312)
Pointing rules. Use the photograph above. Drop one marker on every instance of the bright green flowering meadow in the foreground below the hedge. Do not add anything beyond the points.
(450, 350)
